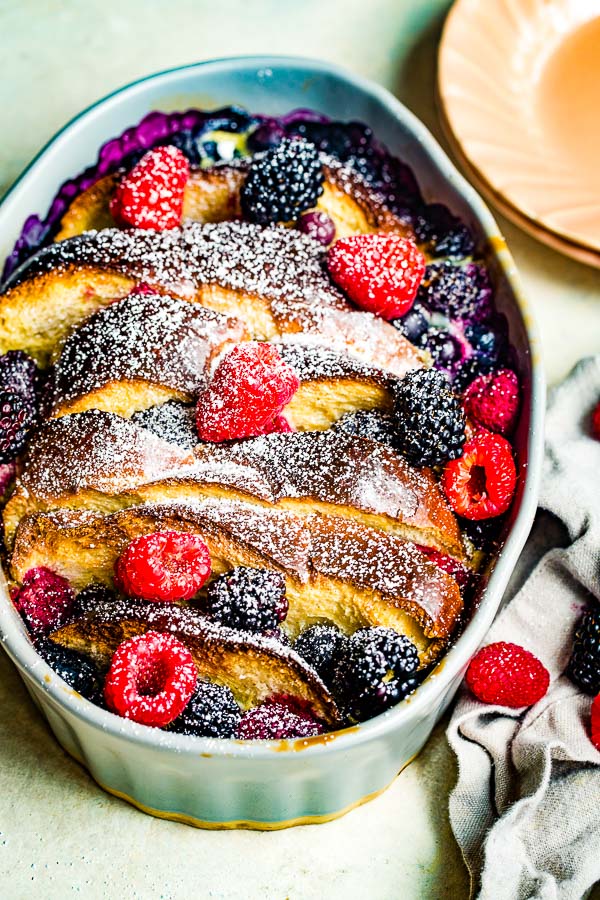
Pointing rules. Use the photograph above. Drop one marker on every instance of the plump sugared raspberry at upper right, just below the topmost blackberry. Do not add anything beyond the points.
(380, 272)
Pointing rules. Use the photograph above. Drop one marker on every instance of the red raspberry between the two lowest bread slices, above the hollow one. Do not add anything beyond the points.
(165, 565)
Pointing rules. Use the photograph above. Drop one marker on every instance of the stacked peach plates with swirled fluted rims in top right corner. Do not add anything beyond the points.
(519, 90)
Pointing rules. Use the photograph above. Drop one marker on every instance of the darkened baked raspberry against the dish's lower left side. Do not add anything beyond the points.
(44, 601)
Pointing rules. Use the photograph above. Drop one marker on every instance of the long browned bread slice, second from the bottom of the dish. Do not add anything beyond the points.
(336, 570)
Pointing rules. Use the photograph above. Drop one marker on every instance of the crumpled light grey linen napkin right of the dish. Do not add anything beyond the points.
(526, 807)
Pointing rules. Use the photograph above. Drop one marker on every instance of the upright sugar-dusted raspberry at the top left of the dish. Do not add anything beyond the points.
(151, 195)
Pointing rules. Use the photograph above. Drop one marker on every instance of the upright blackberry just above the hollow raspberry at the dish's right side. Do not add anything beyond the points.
(430, 421)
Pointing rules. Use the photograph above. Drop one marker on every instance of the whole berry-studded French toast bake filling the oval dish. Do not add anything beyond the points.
(236, 439)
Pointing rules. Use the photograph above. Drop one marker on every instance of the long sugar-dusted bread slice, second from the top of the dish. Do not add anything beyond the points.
(271, 278)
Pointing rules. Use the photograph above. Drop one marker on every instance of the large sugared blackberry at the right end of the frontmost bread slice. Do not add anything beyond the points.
(376, 671)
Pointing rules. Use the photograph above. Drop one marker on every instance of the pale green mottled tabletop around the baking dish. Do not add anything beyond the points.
(59, 834)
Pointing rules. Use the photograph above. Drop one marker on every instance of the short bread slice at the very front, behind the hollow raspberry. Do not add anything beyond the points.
(253, 667)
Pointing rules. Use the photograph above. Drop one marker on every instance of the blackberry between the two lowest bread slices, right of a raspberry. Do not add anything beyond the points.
(248, 599)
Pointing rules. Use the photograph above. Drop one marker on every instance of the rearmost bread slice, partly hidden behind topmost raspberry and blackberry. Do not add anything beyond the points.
(213, 195)
